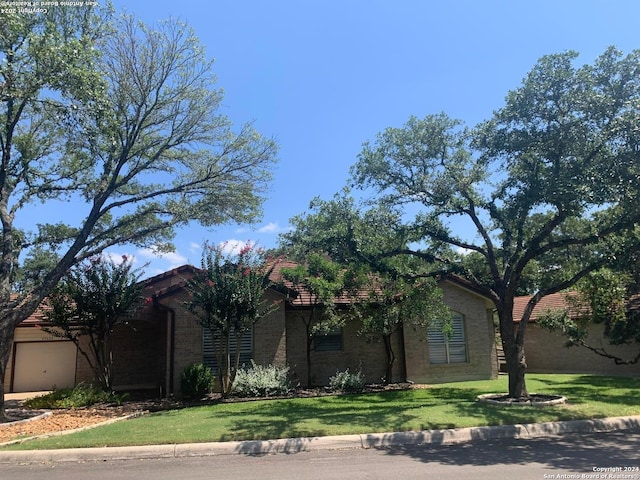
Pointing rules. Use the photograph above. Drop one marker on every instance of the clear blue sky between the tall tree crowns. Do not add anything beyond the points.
(325, 76)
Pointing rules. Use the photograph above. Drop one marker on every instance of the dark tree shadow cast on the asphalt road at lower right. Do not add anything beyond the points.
(563, 453)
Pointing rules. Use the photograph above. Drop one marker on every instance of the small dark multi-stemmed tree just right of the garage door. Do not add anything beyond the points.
(90, 301)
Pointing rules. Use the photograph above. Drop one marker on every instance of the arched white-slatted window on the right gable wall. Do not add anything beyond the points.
(450, 347)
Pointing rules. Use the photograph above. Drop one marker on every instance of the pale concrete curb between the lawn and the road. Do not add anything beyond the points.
(306, 444)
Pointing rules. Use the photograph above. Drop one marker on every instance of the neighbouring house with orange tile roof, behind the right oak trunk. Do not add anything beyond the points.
(546, 352)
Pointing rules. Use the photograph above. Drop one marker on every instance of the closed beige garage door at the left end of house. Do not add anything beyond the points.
(44, 366)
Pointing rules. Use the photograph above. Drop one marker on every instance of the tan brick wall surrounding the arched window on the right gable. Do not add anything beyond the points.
(479, 332)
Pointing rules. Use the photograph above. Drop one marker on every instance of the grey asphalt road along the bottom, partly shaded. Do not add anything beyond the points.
(571, 456)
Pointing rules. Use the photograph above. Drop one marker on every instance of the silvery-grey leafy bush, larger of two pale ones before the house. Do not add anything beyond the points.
(262, 381)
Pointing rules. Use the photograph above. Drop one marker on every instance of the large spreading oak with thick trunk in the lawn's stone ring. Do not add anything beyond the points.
(551, 177)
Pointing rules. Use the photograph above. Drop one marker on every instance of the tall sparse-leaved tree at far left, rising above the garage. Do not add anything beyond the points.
(122, 120)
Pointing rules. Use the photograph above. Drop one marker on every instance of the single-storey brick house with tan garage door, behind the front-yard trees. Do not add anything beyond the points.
(153, 350)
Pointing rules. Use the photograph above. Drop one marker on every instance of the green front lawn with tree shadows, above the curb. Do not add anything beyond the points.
(451, 405)
